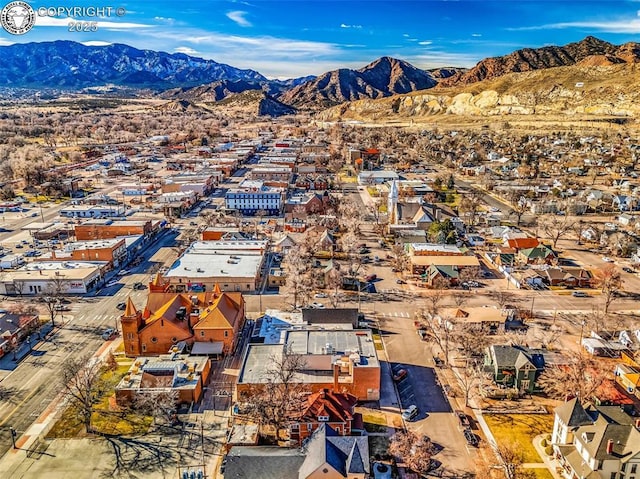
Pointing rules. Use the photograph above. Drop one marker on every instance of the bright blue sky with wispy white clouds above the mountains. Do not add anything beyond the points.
(294, 38)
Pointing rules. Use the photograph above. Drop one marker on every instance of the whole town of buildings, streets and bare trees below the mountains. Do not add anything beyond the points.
(191, 294)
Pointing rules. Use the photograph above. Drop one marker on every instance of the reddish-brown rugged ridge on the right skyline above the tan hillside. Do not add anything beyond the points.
(590, 49)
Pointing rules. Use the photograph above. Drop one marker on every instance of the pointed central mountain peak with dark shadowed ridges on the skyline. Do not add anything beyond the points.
(384, 77)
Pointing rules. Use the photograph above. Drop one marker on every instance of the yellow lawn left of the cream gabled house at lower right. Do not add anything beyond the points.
(519, 431)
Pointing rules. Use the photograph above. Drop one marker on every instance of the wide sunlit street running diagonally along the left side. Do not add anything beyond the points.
(34, 383)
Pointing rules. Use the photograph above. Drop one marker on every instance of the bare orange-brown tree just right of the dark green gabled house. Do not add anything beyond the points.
(579, 377)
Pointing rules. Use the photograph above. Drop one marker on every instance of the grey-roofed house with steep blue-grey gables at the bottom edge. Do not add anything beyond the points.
(327, 455)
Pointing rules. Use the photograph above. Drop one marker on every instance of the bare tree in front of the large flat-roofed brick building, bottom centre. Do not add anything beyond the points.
(282, 394)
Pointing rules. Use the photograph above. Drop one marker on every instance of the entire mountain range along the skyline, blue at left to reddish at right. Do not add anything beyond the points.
(68, 65)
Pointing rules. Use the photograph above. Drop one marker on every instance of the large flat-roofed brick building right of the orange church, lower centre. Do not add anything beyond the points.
(343, 360)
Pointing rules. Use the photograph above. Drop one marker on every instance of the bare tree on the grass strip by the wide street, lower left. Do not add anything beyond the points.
(83, 386)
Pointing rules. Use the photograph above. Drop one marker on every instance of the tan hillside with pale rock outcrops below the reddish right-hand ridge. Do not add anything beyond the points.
(567, 91)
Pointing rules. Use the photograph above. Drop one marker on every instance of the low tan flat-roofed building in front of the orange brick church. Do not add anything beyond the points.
(184, 374)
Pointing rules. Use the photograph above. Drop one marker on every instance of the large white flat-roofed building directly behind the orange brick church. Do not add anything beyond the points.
(232, 265)
